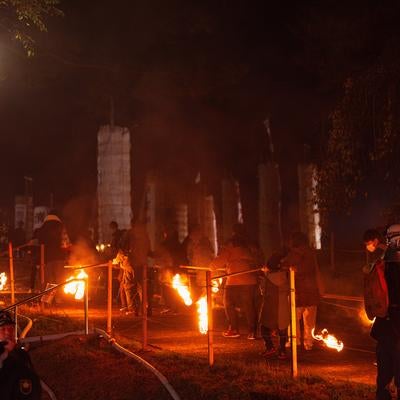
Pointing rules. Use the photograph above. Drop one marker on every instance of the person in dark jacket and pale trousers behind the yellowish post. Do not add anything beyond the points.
(303, 258)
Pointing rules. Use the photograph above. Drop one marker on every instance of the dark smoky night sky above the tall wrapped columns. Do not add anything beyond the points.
(193, 81)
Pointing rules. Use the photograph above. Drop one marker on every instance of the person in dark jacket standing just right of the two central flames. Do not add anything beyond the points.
(240, 290)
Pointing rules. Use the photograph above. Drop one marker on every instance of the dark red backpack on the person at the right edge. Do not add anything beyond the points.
(376, 298)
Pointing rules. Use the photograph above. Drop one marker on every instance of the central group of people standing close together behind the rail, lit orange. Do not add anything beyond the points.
(255, 287)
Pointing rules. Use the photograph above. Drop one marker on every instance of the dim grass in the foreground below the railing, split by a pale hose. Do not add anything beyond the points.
(88, 368)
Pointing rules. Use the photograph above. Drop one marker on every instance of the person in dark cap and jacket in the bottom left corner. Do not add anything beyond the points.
(18, 379)
